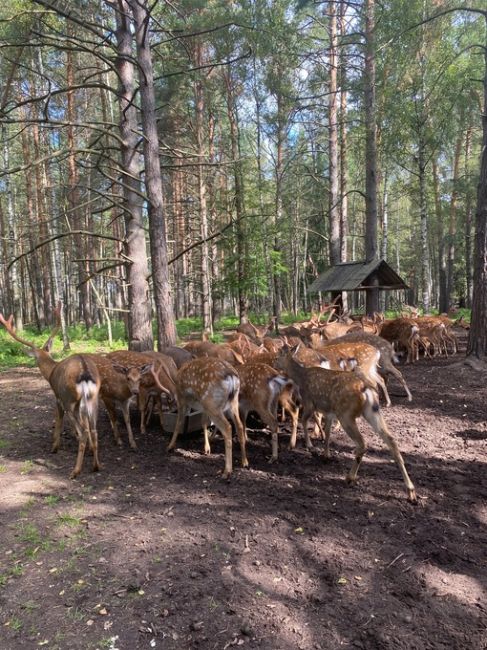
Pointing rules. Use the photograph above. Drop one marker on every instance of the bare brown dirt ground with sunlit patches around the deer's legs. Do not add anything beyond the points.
(156, 551)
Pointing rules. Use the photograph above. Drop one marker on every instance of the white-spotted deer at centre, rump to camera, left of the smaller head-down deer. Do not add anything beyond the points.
(211, 385)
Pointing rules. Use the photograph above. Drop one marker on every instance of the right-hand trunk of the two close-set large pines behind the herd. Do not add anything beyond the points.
(166, 328)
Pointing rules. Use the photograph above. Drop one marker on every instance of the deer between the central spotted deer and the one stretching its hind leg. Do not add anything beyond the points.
(261, 388)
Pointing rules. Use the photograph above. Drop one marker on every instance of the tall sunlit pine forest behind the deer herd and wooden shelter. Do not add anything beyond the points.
(199, 158)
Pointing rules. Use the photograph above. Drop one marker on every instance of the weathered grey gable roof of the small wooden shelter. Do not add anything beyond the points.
(356, 276)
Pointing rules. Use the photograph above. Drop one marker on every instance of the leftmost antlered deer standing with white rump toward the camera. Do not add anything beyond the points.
(75, 382)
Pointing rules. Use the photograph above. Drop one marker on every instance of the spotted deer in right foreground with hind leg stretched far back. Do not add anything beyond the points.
(345, 396)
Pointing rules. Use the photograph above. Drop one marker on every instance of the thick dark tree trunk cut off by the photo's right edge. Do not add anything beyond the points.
(477, 337)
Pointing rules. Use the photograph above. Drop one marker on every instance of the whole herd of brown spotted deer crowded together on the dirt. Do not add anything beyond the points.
(333, 370)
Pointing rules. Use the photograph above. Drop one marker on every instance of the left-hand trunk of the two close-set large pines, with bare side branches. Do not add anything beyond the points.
(139, 321)
